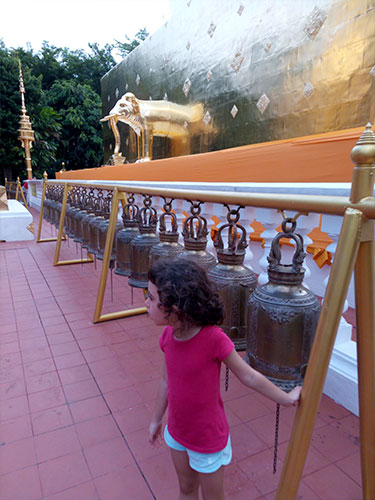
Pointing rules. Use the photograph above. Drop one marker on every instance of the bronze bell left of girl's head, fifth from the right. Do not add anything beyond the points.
(142, 244)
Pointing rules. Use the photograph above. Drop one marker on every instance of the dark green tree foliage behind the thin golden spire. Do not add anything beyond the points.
(63, 102)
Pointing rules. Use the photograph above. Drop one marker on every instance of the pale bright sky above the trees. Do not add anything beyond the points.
(75, 23)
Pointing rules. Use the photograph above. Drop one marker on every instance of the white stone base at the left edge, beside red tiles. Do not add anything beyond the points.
(16, 224)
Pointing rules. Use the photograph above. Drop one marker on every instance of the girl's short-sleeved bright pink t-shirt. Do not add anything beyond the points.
(196, 417)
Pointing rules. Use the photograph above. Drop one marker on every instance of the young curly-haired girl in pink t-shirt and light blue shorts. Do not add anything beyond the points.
(181, 298)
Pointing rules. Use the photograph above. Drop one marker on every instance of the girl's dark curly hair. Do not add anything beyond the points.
(184, 285)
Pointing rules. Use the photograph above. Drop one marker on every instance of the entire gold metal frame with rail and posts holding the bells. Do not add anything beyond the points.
(355, 250)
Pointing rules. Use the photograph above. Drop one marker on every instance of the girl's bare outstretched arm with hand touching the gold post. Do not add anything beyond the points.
(255, 380)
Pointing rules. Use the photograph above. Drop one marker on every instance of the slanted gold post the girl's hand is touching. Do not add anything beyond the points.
(325, 334)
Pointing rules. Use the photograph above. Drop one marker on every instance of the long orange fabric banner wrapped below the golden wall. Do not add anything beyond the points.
(315, 158)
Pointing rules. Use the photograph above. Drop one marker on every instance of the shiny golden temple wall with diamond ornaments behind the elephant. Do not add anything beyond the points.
(261, 71)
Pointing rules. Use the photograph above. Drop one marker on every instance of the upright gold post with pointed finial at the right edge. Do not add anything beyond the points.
(363, 155)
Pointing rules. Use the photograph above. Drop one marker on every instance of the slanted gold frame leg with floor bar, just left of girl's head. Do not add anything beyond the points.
(98, 316)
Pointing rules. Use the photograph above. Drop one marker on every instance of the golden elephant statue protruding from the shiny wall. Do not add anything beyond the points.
(155, 118)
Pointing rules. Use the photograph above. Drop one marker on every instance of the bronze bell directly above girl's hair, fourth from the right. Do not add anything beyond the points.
(168, 248)
